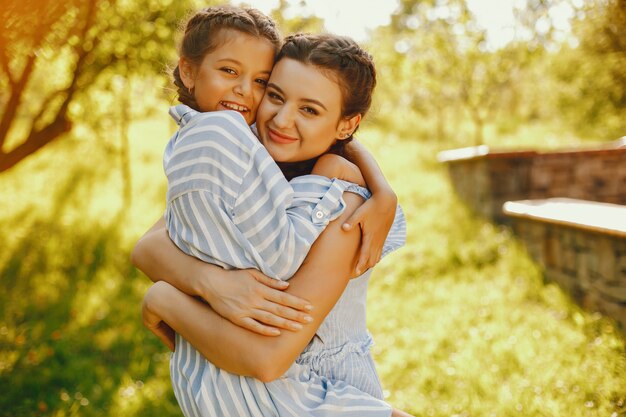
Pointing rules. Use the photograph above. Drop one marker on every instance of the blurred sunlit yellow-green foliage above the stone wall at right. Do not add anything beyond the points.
(435, 60)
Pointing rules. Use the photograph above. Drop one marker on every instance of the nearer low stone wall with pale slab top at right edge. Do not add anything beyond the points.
(581, 245)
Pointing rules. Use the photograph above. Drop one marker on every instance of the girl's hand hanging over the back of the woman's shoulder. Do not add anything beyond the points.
(375, 217)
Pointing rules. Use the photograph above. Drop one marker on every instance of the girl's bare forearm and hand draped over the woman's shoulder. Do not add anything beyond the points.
(377, 214)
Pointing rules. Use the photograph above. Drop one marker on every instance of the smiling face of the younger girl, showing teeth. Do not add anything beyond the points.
(233, 76)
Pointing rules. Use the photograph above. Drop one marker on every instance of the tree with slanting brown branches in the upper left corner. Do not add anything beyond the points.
(54, 55)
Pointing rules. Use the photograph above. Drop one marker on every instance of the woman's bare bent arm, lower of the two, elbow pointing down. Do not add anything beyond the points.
(321, 279)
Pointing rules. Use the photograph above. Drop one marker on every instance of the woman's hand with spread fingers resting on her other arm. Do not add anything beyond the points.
(257, 303)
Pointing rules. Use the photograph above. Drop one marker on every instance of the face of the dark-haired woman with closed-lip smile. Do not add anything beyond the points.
(300, 115)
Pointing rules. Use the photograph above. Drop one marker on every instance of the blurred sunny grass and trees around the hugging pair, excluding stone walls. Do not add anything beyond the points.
(464, 323)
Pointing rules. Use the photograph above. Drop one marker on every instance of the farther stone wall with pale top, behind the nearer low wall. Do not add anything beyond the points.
(486, 179)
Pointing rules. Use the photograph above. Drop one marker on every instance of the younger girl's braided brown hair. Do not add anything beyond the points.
(200, 37)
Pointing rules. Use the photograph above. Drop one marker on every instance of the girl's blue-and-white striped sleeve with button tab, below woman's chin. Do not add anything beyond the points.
(281, 220)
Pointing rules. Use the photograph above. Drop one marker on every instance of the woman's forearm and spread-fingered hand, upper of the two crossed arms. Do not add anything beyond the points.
(246, 297)
